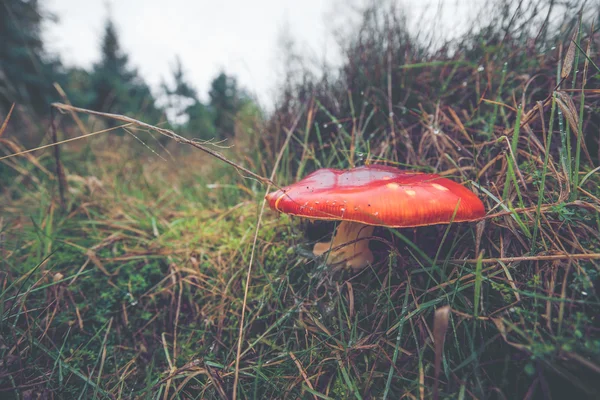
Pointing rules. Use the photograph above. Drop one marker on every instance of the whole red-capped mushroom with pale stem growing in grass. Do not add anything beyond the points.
(374, 195)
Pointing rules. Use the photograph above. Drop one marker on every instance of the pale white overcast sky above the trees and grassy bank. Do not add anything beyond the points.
(238, 36)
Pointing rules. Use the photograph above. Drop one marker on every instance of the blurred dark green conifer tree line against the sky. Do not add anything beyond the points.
(28, 72)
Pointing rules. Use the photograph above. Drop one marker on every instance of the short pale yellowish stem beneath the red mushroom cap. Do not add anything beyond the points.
(356, 255)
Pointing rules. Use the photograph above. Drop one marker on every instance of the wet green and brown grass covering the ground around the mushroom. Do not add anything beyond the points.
(136, 287)
